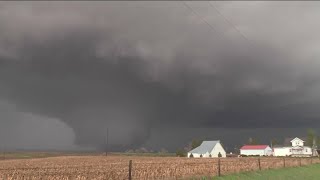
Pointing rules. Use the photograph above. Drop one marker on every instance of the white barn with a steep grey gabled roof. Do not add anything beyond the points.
(208, 149)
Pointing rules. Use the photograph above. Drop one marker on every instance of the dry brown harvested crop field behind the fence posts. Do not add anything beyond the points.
(116, 167)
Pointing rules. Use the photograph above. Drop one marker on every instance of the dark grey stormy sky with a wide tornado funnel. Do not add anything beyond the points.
(71, 70)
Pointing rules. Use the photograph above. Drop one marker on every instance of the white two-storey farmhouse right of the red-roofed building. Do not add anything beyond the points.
(296, 148)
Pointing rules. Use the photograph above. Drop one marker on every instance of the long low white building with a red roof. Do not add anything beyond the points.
(256, 150)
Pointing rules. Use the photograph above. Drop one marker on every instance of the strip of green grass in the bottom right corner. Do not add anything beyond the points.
(311, 172)
